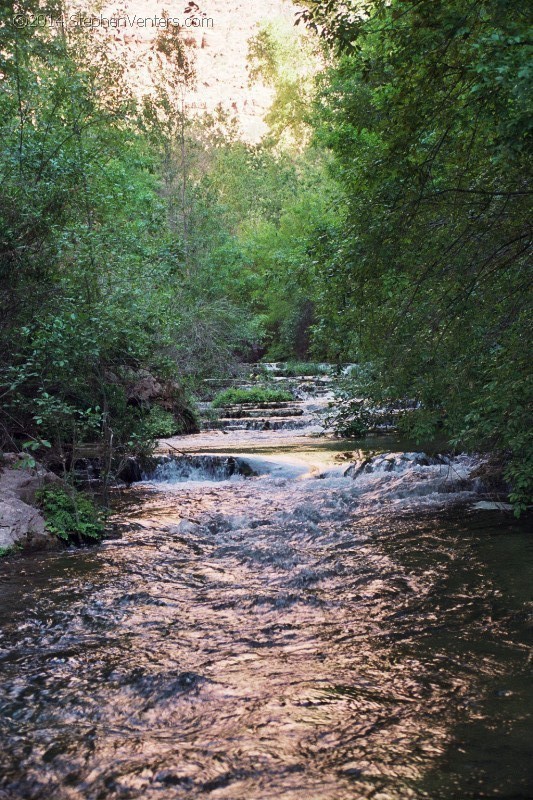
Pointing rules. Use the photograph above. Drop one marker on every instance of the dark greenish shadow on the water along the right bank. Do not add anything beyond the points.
(472, 634)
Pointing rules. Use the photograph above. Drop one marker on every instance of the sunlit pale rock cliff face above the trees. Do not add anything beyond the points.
(216, 33)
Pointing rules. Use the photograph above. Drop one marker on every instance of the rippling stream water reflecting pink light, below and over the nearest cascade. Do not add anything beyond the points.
(269, 627)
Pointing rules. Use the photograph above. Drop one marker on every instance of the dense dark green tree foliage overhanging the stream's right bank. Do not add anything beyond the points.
(428, 112)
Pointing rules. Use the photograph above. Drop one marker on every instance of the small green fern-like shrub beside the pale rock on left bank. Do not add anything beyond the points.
(71, 515)
